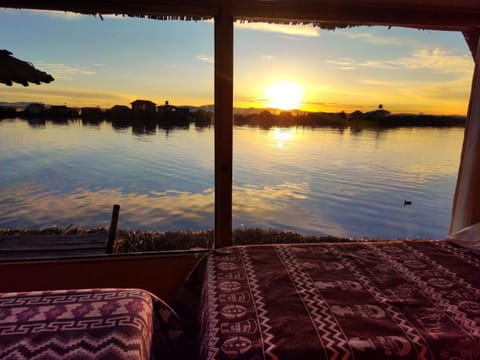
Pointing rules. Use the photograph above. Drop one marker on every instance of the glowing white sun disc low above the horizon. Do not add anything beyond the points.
(284, 95)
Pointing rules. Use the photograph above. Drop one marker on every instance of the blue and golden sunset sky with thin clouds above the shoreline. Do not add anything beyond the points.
(117, 60)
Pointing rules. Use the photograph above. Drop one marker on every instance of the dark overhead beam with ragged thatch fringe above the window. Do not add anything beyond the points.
(460, 15)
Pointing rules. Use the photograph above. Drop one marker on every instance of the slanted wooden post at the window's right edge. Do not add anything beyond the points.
(466, 203)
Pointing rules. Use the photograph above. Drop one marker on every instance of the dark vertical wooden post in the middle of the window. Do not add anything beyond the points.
(223, 125)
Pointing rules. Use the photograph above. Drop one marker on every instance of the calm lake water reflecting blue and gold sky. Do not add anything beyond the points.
(313, 181)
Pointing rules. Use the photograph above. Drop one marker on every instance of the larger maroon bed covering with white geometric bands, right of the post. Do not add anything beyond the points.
(396, 299)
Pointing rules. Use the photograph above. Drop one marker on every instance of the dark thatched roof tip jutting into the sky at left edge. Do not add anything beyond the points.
(18, 71)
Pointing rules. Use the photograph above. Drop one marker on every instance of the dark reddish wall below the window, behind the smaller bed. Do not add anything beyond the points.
(162, 275)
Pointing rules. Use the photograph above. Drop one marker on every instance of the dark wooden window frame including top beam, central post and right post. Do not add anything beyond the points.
(460, 15)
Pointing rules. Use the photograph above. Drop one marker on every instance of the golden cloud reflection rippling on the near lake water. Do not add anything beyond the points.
(32, 205)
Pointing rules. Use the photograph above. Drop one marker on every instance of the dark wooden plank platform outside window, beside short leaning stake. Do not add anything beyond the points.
(25, 247)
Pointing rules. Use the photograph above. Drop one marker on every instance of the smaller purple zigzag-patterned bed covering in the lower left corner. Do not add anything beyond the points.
(88, 324)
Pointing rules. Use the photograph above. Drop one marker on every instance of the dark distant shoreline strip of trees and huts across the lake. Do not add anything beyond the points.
(123, 116)
